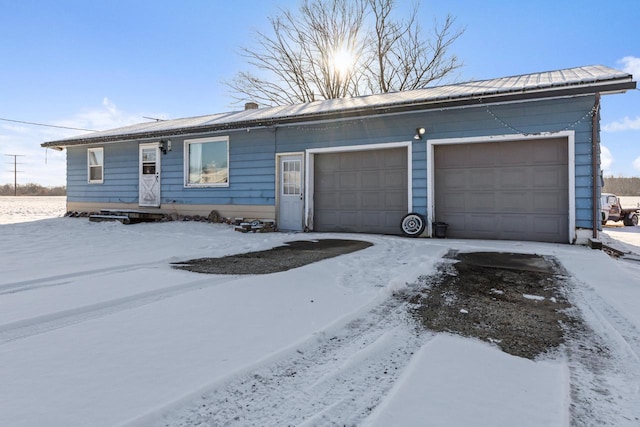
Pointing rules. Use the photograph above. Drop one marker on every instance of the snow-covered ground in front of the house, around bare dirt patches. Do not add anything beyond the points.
(97, 329)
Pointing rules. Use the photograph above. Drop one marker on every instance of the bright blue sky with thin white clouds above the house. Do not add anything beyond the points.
(104, 64)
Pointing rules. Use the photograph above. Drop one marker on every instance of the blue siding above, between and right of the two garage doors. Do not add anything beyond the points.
(525, 117)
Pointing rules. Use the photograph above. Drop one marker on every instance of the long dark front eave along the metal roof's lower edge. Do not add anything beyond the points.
(603, 87)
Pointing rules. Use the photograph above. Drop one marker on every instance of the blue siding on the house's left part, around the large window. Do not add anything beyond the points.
(251, 173)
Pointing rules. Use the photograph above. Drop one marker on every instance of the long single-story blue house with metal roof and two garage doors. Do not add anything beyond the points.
(508, 158)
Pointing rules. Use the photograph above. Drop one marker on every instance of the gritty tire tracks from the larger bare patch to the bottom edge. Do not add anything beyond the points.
(332, 379)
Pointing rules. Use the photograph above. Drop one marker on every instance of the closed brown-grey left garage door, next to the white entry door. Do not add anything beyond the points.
(360, 191)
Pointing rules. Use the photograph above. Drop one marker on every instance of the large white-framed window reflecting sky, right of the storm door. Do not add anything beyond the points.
(207, 162)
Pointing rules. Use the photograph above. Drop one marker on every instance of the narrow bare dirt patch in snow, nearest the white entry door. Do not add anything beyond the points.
(282, 258)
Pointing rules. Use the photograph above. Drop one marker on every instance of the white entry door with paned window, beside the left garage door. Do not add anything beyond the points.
(291, 193)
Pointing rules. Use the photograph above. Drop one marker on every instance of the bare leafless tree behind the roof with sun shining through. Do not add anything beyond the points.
(339, 48)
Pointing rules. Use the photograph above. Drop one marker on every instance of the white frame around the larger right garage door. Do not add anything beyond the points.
(571, 165)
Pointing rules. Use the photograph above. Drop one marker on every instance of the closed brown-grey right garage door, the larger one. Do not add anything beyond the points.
(513, 190)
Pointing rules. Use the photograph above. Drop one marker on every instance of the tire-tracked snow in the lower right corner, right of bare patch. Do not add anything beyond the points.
(604, 363)
